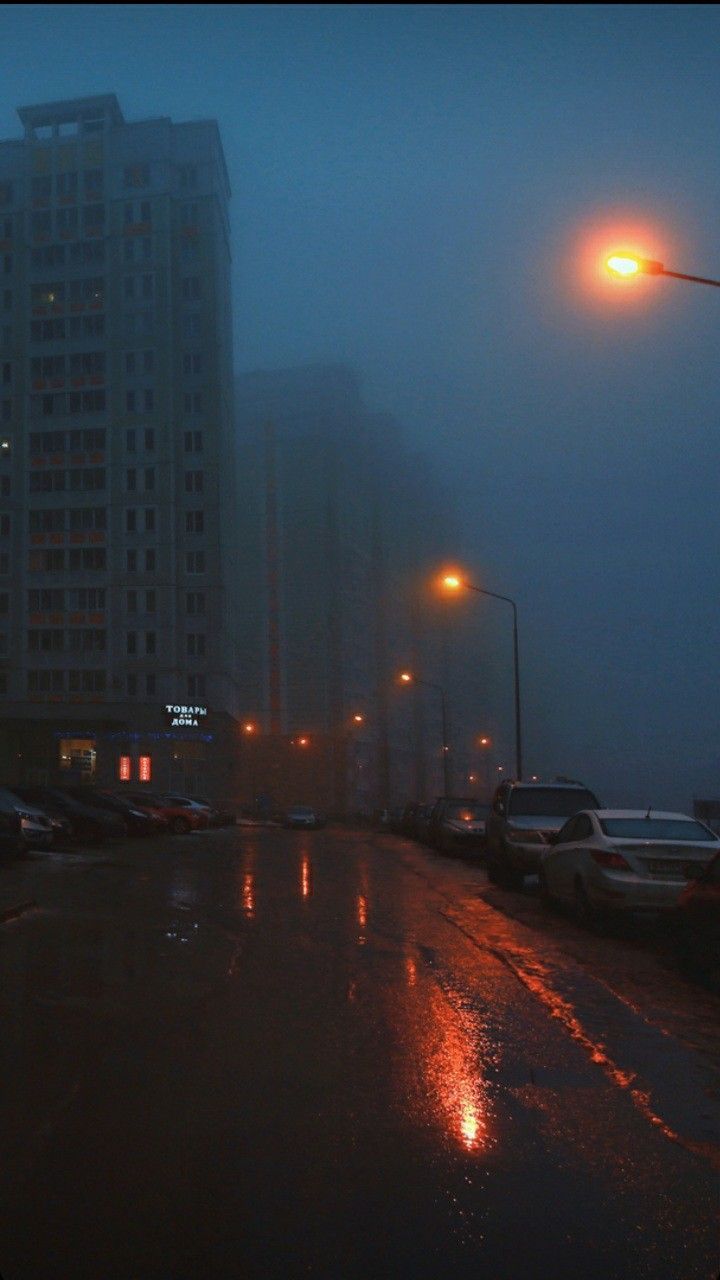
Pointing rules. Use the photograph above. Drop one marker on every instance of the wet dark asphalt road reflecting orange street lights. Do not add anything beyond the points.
(258, 1054)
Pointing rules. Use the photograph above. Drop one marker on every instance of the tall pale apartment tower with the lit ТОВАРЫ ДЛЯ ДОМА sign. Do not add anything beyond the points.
(117, 451)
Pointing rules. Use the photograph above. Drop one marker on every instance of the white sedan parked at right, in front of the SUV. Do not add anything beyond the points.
(625, 861)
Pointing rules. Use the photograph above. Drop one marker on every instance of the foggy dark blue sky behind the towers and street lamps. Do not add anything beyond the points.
(413, 191)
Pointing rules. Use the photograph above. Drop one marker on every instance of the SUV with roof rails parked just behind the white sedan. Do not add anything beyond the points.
(522, 821)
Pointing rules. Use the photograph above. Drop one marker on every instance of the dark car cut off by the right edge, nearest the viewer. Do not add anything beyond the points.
(695, 926)
